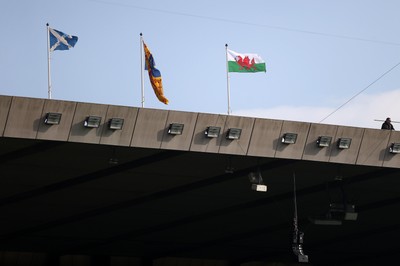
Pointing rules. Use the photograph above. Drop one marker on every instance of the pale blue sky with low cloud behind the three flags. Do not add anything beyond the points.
(319, 55)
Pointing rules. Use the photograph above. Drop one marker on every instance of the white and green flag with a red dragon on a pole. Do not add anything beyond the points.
(245, 62)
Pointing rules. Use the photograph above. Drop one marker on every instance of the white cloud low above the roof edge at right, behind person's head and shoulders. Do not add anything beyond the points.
(360, 112)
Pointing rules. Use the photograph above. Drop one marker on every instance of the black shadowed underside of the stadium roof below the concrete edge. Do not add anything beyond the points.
(73, 198)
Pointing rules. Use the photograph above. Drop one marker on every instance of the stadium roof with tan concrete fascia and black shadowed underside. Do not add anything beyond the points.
(143, 193)
